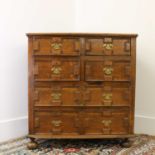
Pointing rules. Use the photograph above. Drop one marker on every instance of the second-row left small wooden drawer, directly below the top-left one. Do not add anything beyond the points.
(57, 69)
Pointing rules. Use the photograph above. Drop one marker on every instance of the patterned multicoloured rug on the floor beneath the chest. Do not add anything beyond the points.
(142, 145)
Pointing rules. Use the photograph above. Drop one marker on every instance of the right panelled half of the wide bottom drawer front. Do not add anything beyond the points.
(107, 122)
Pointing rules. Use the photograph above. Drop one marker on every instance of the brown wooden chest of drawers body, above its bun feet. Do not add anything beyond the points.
(81, 85)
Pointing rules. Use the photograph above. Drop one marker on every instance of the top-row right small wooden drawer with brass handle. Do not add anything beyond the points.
(108, 46)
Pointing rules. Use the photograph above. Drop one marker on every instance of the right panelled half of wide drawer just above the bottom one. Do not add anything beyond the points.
(107, 96)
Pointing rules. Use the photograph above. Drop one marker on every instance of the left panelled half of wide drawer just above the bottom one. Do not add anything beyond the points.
(64, 96)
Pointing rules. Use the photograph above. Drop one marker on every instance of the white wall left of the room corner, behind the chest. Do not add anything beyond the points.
(18, 17)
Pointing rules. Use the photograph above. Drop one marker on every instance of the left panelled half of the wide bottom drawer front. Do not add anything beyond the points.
(53, 124)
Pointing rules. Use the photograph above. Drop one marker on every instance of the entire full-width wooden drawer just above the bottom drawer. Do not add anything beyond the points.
(110, 95)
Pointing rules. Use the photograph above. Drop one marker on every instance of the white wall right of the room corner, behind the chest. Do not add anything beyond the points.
(128, 16)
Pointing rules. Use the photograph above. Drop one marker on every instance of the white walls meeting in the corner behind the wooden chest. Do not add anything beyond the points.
(122, 16)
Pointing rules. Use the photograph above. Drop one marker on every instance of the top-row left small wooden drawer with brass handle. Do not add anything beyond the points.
(56, 46)
